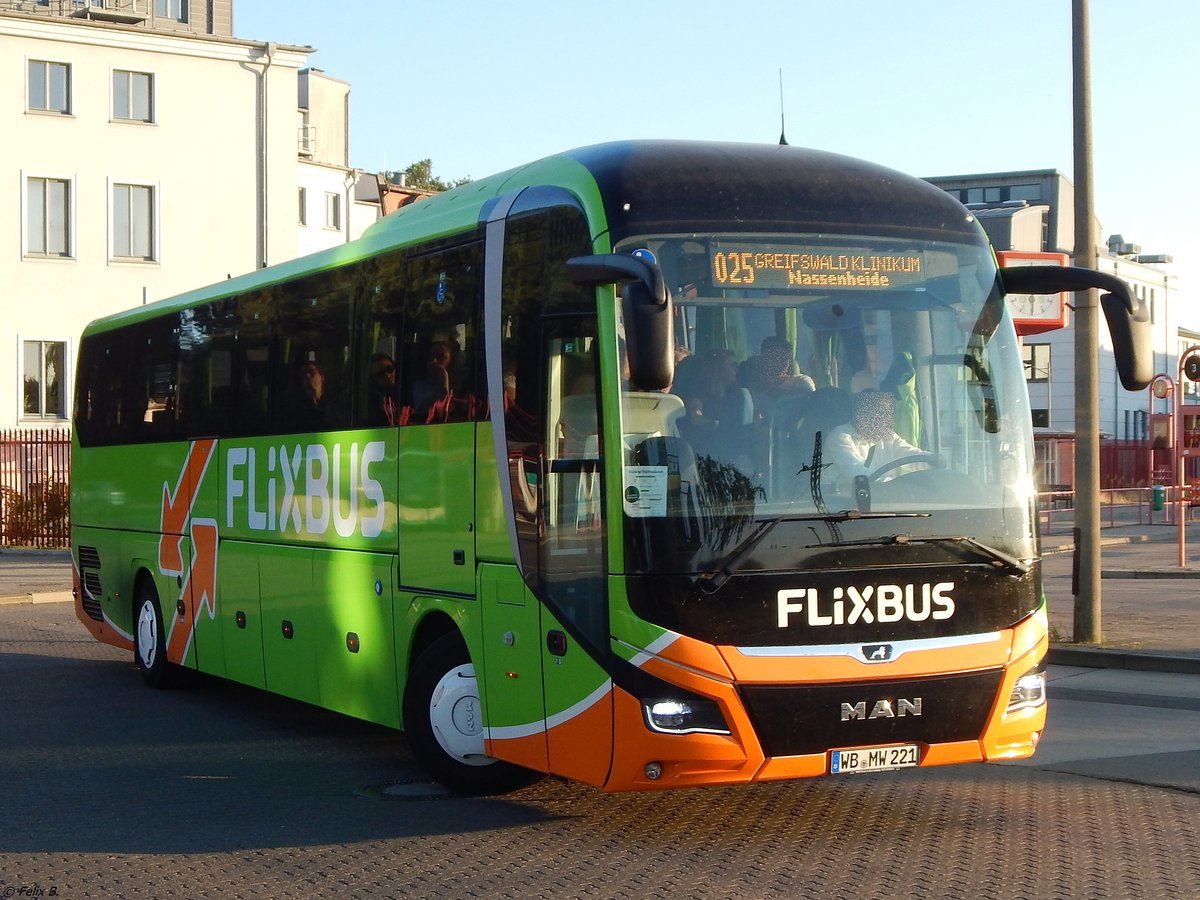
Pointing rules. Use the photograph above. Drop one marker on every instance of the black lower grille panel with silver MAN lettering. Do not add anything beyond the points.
(793, 721)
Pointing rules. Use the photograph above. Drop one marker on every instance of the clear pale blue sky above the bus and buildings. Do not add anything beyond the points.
(927, 87)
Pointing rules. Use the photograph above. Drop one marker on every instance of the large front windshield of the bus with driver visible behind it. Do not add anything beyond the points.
(830, 392)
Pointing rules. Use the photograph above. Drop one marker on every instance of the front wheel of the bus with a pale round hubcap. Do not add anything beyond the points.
(445, 728)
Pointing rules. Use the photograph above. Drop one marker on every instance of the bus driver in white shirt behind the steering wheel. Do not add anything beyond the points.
(868, 443)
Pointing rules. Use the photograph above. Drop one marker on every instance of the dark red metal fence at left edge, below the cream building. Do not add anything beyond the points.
(35, 495)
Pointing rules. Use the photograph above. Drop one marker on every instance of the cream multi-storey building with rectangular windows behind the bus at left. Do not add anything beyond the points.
(148, 152)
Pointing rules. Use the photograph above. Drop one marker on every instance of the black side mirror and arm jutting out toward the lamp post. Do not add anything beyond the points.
(1127, 316)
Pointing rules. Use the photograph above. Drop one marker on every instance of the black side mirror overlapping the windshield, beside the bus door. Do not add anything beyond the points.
(646, 305)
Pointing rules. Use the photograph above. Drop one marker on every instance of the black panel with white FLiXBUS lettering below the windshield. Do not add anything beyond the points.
(861, 605)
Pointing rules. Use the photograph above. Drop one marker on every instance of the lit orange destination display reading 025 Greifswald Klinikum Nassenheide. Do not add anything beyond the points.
(766, 267)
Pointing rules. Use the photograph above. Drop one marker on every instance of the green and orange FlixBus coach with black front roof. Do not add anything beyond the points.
(649, 465)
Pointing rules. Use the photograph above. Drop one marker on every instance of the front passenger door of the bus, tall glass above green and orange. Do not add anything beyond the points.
(543, 373)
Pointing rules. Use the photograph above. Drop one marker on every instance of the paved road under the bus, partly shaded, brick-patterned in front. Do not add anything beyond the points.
(112, 789)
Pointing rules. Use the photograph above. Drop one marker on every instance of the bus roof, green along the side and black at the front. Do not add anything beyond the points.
(651, 187)
